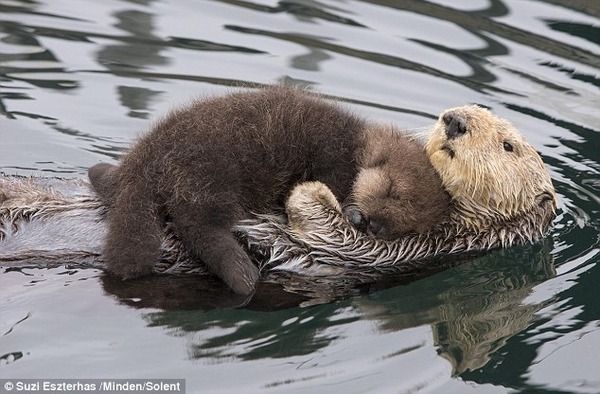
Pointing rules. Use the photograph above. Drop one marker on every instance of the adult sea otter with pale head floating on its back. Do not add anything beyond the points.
(501, 192)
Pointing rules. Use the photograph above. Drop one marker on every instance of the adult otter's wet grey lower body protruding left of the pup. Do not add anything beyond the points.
(44, 220)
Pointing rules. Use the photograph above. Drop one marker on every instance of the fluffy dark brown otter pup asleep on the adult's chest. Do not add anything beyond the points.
(215, 162)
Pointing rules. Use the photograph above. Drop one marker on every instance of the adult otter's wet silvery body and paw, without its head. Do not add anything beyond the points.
(49, 221)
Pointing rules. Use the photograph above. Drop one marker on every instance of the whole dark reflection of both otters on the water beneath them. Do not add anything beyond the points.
(469, 322)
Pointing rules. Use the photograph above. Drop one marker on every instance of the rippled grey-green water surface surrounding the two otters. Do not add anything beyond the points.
(80, 79)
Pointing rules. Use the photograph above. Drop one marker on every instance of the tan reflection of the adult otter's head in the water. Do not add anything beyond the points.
(475, 327)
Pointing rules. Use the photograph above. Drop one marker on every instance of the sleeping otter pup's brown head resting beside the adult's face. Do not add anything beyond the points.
(397, 189)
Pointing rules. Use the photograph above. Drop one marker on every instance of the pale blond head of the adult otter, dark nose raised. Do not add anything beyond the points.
(493, 175)
